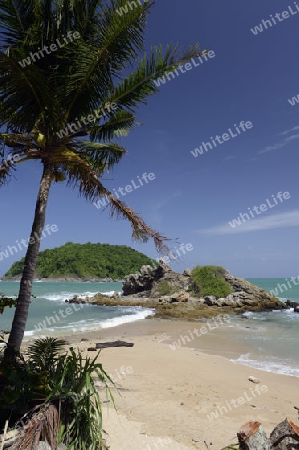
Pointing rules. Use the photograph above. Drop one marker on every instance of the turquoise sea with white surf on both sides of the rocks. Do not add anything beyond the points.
(270, 340)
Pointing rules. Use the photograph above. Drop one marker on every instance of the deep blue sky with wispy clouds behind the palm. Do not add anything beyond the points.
(192, 199)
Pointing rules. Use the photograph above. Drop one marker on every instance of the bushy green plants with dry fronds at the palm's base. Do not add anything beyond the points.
(53, 396)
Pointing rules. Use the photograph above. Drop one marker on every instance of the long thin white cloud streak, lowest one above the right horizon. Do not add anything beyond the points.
(282, 220)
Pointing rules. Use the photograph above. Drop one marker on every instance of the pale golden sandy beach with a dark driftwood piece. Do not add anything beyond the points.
(179, 399)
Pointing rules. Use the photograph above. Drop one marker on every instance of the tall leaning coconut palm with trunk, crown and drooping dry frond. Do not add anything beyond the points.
(62, 62)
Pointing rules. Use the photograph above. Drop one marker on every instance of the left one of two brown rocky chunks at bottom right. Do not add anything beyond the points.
(253, 437)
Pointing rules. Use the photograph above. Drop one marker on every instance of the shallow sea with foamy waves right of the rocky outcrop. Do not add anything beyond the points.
(271, 338)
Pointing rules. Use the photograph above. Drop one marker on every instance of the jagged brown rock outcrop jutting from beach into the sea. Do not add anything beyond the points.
(172, 295)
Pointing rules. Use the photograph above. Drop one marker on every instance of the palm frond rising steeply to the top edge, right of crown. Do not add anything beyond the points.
(94, 68)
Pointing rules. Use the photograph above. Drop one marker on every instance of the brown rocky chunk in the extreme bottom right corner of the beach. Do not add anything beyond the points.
(285, 436)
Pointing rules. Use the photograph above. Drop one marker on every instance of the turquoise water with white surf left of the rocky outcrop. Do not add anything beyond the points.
(49, 314)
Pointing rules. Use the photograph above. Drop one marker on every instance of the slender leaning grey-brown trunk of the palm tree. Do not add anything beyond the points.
(21, 312)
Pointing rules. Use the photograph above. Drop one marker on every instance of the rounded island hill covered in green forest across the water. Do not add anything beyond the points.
(85, 261)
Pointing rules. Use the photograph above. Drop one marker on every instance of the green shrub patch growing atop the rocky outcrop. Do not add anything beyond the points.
(208, 280)
